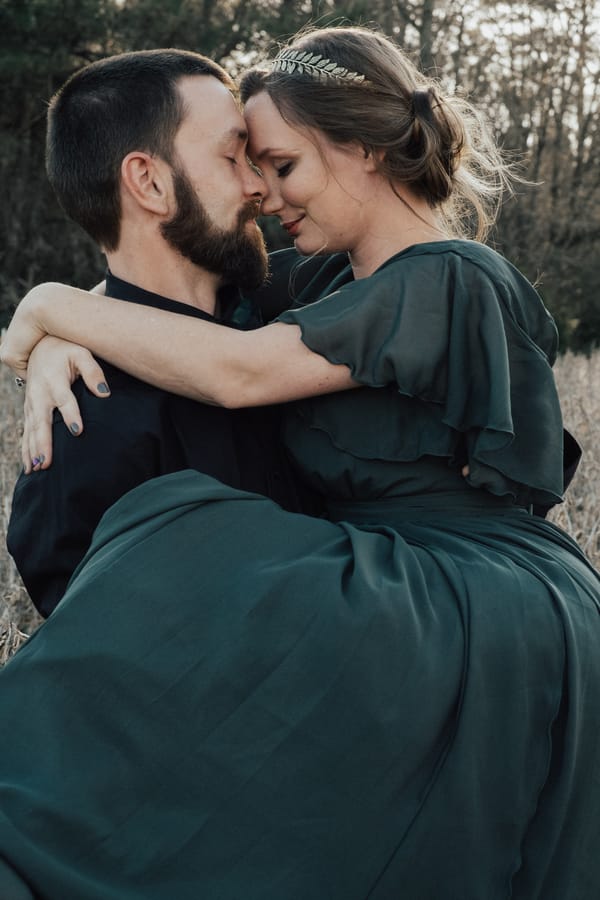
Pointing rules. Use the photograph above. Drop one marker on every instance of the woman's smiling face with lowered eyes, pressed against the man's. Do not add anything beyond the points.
(318, 190)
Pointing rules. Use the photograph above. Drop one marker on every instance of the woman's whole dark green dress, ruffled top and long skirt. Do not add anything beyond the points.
(398, 702)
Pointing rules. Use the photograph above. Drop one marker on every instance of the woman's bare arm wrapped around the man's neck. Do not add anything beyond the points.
(184, 355)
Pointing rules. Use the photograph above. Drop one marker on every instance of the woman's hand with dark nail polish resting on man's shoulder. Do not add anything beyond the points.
(53, 367)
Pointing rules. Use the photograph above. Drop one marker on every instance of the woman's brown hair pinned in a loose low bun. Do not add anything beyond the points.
(436, 143)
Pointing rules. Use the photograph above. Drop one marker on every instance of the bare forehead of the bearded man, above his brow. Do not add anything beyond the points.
(211, 114)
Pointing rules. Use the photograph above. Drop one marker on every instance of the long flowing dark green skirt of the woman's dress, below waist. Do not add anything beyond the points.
(233, 702)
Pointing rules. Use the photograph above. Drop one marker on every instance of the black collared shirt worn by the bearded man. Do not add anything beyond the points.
(140, 432)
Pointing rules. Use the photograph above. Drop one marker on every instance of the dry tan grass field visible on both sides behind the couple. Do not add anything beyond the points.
(578, 379)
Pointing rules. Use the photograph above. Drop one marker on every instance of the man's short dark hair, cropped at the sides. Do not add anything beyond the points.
(105, 111)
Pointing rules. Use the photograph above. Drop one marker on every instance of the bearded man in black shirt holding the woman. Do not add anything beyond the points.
(147, 152)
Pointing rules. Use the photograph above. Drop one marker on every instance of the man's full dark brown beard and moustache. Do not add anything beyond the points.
(239, 255)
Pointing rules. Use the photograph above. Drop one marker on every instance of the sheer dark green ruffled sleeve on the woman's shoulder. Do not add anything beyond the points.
(457, 328)
